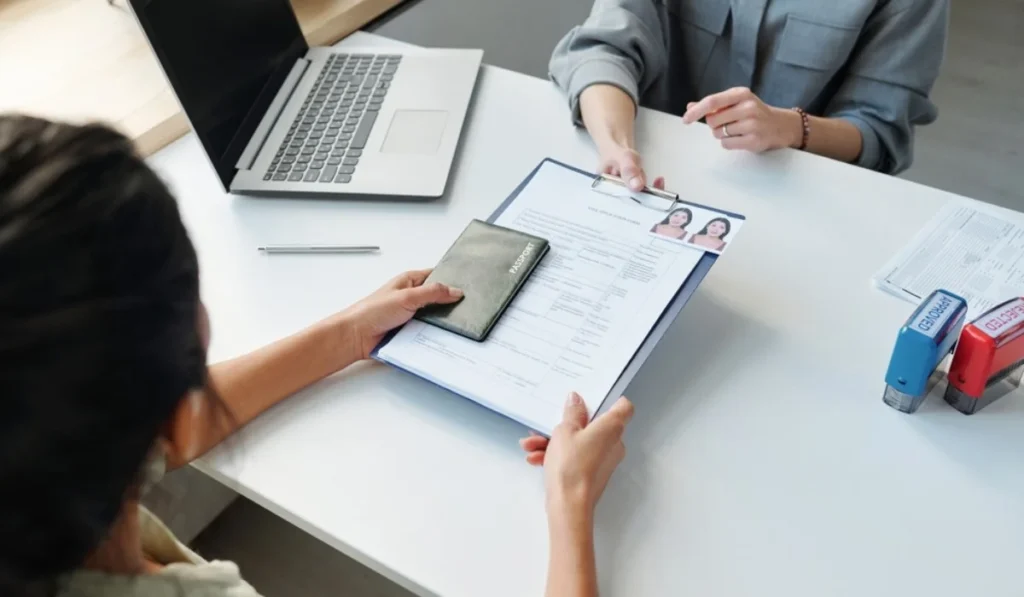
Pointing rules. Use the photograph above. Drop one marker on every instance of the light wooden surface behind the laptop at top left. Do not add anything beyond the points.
(87, 60)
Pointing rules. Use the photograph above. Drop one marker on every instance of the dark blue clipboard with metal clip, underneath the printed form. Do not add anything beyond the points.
(668, 316)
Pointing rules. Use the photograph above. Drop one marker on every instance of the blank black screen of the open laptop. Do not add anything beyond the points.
(226, 61)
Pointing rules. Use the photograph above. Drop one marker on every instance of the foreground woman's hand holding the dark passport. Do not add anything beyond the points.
(393, 306)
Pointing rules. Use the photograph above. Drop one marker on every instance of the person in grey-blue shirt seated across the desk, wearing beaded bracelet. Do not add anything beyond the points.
(848, 80)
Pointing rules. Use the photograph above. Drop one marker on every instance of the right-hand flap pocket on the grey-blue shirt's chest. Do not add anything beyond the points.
(818, 47)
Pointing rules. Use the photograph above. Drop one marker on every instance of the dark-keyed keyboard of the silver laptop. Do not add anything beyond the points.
(326, 142)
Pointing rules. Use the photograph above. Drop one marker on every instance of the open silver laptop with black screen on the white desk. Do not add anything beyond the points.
(277, 117)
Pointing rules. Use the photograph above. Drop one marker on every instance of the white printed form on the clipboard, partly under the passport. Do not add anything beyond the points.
(578, 321)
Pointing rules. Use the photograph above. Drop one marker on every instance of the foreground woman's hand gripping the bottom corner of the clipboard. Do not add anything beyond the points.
(580, 458)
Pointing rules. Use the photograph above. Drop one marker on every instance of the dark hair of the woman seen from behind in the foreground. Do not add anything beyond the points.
(99, 338)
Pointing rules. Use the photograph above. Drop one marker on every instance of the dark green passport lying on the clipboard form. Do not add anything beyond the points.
(490, 264)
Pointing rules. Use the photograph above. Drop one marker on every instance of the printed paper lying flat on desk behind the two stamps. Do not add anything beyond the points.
(971, 249)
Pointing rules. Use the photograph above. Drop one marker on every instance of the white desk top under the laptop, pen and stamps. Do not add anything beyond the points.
(762, 460)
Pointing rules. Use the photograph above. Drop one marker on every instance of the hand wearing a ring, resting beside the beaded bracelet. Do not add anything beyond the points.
(743, 121)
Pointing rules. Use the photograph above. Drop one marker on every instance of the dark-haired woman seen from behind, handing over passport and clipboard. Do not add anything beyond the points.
(104, 381)
